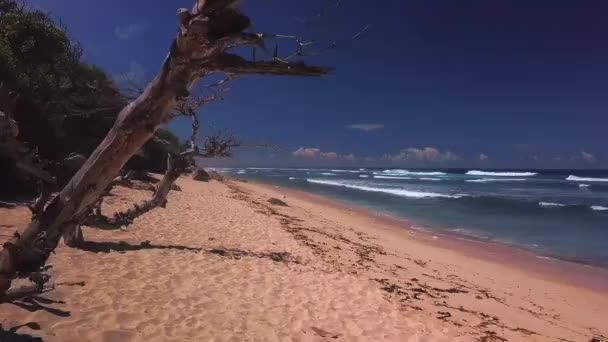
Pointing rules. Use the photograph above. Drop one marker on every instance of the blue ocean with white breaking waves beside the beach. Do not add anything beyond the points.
(553, 213)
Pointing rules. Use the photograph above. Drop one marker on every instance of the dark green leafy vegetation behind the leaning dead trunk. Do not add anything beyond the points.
(63, 105)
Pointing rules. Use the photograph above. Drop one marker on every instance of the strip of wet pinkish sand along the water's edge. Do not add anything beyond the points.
(593, 277)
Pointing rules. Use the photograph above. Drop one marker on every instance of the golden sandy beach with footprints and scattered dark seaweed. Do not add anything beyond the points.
(222, 263)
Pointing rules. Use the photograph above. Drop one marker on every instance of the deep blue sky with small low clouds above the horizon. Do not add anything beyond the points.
(430, 83)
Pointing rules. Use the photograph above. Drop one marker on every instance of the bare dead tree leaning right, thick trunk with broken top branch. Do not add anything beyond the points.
(205, 36)
